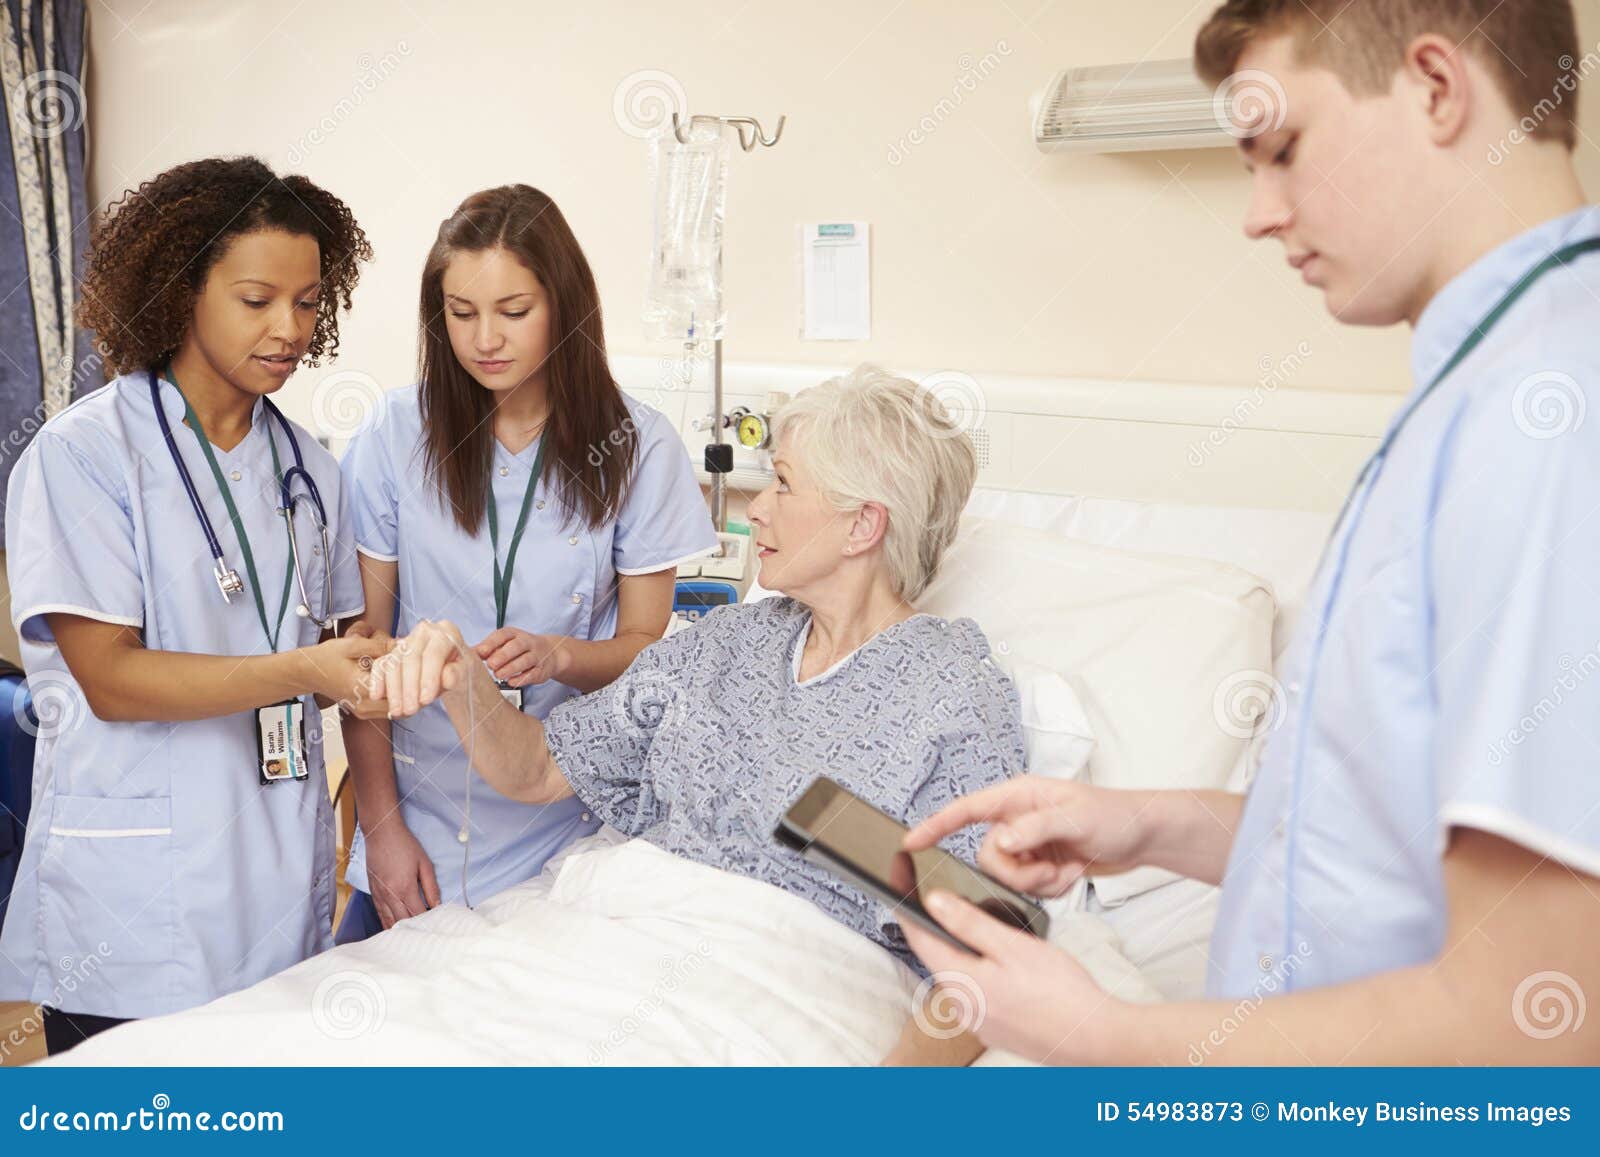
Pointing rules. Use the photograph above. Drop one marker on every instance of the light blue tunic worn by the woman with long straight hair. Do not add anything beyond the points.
(564, 585)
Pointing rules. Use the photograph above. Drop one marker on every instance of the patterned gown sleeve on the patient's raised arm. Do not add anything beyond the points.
(602, 742)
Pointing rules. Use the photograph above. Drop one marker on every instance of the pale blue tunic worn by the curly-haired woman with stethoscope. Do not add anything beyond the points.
(159, 873)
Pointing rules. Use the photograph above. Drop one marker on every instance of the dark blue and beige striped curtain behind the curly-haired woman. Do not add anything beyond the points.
(44, 218)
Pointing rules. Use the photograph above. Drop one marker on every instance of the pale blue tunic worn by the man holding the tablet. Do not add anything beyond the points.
(1446, 675)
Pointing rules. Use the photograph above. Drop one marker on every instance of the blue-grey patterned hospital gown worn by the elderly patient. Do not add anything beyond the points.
(710, 737)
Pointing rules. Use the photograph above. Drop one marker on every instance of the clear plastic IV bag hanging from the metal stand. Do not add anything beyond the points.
(690, 190)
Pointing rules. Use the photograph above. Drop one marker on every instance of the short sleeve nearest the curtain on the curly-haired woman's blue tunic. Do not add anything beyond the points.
(70, 540)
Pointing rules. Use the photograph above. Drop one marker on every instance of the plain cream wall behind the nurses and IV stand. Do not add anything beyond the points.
(988, 255)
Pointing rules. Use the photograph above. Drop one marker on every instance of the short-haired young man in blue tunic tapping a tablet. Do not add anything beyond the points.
(1415, 876)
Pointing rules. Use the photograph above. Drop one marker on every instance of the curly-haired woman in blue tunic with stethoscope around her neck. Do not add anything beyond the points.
(180, 843)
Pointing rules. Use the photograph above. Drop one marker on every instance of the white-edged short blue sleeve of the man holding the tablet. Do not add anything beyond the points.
(1516, 578)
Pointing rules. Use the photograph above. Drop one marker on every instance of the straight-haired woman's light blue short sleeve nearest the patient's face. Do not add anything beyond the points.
(665, 519)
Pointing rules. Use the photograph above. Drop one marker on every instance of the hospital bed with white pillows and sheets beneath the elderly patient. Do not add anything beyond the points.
(1142, 631)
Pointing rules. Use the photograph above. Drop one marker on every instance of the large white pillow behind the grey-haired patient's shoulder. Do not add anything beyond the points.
(1151, 646)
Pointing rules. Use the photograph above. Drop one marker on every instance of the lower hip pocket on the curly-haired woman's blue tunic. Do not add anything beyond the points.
(106, 879)
